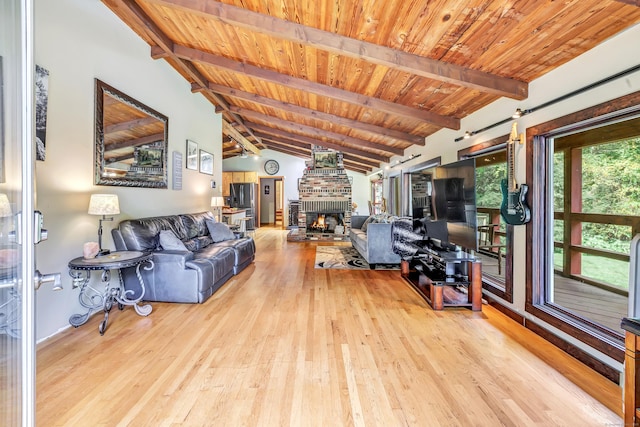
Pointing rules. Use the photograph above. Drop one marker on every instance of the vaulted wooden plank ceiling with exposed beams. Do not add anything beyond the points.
(371, 77)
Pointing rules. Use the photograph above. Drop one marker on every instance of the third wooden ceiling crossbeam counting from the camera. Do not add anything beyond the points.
(315, 114)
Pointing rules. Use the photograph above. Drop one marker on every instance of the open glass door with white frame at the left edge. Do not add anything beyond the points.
(17, 338)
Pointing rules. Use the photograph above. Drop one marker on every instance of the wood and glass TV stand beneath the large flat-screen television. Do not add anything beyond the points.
(446, 278)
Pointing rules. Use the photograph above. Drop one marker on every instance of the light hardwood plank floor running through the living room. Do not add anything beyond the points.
(286, 344)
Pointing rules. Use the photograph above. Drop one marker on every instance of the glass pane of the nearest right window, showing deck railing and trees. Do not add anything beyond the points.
(596, 203)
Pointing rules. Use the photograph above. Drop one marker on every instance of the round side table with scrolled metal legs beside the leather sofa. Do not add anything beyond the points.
(94, 299)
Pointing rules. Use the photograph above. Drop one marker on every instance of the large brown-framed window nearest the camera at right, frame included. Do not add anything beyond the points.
(584, 178)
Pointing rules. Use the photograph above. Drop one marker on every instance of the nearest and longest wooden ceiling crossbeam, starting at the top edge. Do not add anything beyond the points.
(341, 45)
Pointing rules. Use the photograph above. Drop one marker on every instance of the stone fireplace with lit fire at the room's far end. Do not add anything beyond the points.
(325, 204)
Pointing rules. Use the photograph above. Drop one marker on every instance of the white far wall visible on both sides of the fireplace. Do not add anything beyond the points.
(292, 168)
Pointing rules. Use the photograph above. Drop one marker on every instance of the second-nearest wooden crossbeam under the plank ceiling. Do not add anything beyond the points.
(428, 117)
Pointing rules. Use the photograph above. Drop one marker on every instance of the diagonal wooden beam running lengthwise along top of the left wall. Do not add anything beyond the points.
(164, 48)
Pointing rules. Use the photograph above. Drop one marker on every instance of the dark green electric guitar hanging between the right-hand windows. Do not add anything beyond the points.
(514, 209)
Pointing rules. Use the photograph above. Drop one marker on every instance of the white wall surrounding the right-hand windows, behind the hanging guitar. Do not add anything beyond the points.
(611, 57)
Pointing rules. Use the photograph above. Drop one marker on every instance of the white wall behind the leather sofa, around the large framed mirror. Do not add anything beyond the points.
(77, 41)
